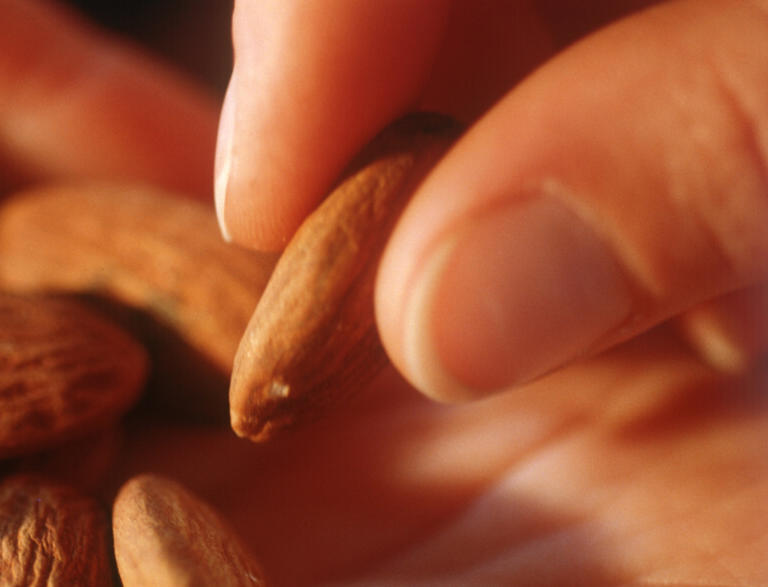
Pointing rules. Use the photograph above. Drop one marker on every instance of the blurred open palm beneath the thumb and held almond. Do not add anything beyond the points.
(640, 467)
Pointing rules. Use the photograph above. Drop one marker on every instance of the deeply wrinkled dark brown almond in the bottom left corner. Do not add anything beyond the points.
(51, 536)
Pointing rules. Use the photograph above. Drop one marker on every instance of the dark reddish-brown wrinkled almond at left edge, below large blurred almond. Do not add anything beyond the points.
(64, 371)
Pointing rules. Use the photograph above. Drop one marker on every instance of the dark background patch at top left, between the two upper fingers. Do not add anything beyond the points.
(194, 35)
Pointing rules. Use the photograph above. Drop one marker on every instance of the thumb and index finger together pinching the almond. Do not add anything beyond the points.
(617, 187)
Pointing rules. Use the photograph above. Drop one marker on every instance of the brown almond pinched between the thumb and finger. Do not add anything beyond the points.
(313, 335)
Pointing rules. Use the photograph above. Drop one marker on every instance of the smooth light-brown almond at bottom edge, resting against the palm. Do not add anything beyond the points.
(165, 536)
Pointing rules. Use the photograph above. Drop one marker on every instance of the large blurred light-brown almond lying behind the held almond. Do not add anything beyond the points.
(157, 263)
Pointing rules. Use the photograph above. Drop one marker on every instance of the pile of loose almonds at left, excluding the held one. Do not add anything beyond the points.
(115, 302)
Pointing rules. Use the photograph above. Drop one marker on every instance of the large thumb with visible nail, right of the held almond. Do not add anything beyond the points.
(617, 187)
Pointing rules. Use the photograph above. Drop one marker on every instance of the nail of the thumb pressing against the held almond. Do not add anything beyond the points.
(512, 295)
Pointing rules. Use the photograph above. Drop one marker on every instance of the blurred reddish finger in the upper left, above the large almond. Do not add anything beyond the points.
(75, 103)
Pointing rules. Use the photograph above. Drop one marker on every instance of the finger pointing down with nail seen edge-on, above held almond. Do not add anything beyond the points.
(312, 83)
